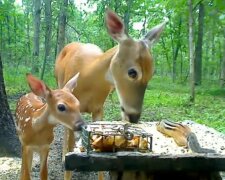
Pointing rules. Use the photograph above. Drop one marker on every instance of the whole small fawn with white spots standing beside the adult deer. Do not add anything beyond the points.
(37, 113)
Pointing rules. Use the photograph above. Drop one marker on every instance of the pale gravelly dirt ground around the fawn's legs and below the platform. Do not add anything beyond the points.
(10, 167)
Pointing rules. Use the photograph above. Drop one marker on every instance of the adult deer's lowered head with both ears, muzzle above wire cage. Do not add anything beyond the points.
(132, 66)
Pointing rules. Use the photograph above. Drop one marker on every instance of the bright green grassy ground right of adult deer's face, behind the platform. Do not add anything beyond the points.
(164, 100)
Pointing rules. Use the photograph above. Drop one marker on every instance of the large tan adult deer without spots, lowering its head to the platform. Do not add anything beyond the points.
(128, 67)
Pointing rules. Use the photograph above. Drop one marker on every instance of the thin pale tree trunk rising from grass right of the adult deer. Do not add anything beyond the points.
(191, 52)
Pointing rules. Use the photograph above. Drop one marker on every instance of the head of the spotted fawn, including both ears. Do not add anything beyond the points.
(62, 105)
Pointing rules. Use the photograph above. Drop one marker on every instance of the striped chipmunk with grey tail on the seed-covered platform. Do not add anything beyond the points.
(182, 135)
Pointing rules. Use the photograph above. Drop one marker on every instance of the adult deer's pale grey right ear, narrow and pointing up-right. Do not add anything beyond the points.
(153, 35)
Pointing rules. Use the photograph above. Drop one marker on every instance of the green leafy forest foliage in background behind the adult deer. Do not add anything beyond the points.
(85, 23)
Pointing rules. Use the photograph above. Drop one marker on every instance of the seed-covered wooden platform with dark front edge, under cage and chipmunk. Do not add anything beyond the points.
(166, 155)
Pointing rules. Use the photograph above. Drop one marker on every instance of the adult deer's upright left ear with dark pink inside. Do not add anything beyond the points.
(115, 26)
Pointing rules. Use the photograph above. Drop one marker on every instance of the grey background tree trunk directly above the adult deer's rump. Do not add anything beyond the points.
(62, 25)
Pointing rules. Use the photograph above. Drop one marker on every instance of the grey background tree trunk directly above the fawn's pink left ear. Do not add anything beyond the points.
(37, 19)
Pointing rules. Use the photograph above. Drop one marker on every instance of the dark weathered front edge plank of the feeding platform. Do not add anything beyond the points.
(144, 161)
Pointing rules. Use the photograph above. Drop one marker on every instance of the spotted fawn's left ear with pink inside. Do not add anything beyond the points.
(37, 86)
